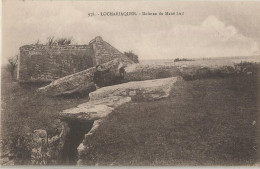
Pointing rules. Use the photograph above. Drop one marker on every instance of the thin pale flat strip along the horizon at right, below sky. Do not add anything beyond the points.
(213, 62)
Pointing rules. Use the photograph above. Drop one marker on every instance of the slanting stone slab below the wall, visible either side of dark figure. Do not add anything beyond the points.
(83, 81)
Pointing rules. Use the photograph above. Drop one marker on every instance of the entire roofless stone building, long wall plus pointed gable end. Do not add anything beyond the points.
(41, 63)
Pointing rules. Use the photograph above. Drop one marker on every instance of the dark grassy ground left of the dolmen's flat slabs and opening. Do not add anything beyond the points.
(24, 110)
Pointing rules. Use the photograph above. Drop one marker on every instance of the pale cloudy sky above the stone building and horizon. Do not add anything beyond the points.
(206, 29)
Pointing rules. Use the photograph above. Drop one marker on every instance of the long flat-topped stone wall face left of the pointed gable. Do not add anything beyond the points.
(47, 63)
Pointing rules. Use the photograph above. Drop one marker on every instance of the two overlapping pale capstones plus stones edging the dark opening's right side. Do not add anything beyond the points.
(105, 100)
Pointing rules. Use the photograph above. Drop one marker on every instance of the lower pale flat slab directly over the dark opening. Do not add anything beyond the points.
(94, 110)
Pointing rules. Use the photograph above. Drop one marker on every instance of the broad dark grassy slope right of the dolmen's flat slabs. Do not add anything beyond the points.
(205, 122)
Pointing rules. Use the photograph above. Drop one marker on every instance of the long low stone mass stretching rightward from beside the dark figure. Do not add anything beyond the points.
(140, 72)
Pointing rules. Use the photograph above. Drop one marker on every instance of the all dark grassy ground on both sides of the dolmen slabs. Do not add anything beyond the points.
(204, 122)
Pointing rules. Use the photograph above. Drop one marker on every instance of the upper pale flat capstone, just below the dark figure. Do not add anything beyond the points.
(141, 90)
